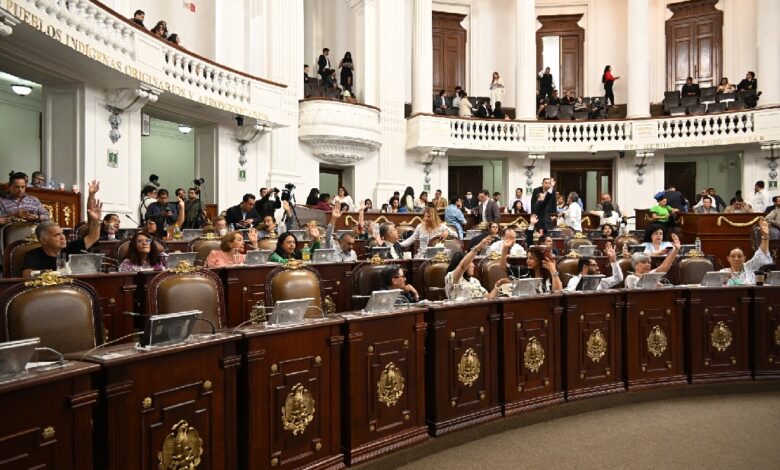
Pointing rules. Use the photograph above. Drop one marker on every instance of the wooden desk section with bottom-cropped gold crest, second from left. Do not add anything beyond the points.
(148, 397)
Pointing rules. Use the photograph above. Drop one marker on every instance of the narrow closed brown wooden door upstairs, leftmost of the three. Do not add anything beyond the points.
(449, 52)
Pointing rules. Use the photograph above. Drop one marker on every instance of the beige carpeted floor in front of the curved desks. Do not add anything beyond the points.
(713, 431)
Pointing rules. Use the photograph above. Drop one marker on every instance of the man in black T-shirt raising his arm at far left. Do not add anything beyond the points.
(53, 241)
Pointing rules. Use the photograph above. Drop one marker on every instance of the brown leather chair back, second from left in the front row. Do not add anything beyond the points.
(188, 288)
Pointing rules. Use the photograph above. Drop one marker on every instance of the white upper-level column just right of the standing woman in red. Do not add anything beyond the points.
(638, 82)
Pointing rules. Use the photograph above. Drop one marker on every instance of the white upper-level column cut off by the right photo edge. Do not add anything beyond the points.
(768, 51)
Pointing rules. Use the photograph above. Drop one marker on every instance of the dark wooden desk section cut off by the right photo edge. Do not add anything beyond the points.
(765, 333)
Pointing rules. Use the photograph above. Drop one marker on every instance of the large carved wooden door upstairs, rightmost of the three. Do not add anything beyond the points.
(694, 43)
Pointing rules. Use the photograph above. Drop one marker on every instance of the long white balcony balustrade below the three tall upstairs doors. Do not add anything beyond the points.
(431, 131)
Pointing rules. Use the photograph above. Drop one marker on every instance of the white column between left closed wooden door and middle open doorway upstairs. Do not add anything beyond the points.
(525, 59)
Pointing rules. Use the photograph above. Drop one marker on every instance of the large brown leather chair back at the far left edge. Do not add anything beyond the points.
(64, 315)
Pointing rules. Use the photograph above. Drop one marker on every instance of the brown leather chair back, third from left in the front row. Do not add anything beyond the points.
(294, 281)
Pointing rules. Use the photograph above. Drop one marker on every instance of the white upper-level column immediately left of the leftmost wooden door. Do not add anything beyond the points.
(422, 56)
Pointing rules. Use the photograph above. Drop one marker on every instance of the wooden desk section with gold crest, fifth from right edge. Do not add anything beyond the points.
(530, 343)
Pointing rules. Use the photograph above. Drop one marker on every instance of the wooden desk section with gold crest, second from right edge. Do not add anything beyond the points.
(717, 333)
